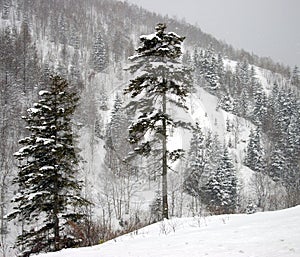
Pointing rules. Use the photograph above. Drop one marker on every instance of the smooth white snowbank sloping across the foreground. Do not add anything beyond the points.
(268, 234)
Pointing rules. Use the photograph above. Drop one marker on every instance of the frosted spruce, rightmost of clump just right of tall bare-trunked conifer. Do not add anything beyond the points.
(222, 187)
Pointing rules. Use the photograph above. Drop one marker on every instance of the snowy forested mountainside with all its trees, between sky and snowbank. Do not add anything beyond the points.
(113, 118)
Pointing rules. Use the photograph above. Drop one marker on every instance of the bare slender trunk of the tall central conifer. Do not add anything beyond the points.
(164, 163)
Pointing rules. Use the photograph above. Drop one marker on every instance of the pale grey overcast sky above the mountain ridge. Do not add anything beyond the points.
(264, 27)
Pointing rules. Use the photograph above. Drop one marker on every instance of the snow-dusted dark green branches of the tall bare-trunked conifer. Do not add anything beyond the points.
(158, 58)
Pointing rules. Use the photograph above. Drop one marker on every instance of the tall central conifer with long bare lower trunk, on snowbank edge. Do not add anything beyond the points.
(161, 80)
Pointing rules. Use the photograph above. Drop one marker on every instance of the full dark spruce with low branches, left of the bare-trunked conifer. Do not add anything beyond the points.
(48, 202)
